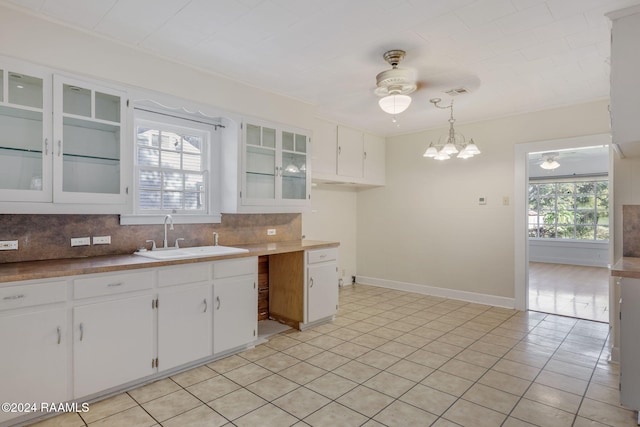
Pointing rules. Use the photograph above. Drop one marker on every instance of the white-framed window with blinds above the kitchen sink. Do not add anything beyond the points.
(173, 158)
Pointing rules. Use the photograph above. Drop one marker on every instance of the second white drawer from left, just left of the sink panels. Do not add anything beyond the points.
(94, 286)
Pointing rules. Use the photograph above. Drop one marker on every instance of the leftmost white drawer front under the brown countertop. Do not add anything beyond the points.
(29, 295)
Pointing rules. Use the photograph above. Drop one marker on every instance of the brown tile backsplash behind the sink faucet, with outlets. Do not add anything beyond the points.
(43, 237)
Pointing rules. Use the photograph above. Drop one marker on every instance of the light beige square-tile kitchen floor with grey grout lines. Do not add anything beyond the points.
(393, 358)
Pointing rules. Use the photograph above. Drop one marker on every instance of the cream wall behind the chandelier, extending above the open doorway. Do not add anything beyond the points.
(425, 228)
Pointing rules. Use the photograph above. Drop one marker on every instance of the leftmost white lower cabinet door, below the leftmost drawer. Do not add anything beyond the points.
(34, 358)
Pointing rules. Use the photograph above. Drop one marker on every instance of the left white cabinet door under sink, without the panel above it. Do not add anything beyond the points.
(184, 325)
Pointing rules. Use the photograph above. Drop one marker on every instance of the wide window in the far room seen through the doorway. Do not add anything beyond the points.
(565, 209)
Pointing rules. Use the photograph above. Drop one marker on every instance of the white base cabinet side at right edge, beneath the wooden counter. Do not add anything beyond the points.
(629, 343)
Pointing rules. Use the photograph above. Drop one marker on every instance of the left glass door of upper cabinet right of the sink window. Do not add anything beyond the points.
(260, 162)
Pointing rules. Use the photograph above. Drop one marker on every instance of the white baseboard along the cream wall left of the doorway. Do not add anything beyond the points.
(439, 292)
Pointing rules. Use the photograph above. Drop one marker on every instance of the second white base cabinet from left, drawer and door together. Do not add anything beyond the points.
(113, 330)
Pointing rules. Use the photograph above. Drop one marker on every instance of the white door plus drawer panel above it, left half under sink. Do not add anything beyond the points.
(185, 318)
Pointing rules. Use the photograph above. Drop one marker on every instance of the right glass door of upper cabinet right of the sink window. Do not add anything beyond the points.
(294, 166)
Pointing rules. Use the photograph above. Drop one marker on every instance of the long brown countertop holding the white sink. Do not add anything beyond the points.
(29, 270)
